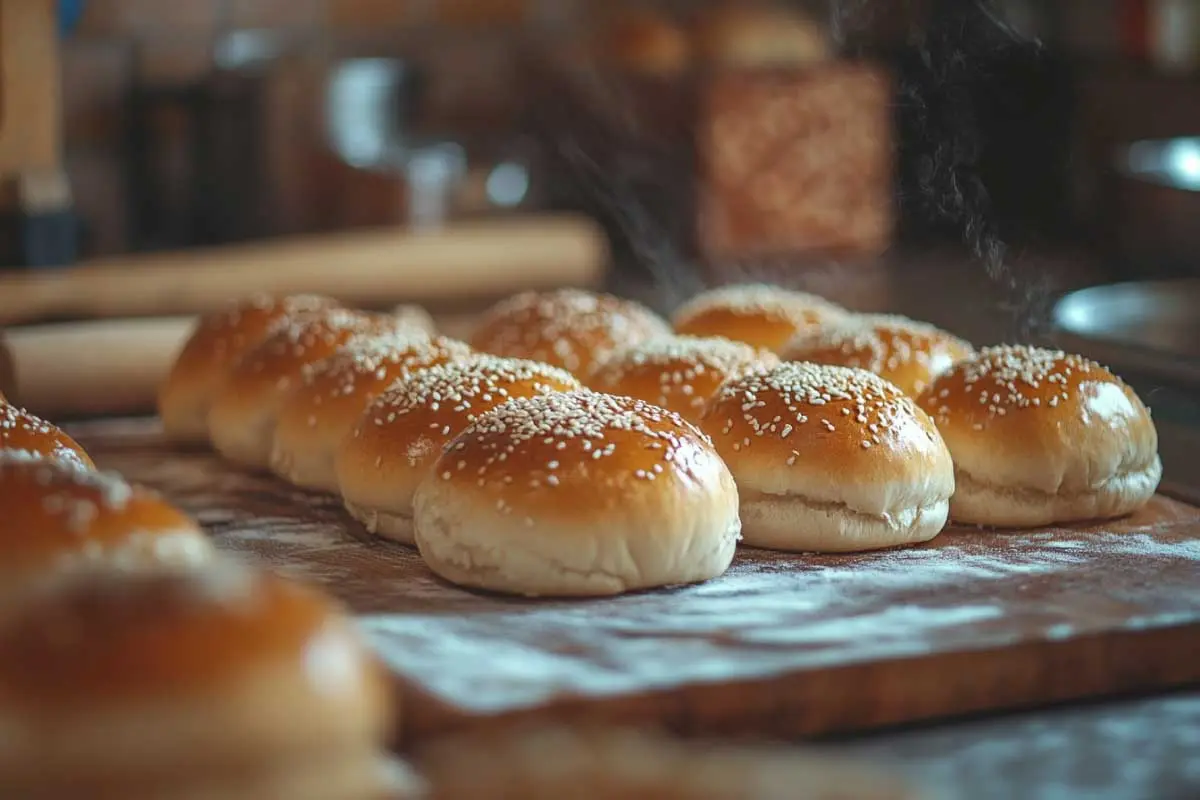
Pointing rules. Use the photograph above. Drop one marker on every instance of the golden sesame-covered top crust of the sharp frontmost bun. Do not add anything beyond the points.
(574, 456)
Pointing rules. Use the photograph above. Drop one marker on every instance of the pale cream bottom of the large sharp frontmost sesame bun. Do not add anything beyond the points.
(495, 554)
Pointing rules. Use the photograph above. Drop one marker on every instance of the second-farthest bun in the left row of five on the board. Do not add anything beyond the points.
(244, 413)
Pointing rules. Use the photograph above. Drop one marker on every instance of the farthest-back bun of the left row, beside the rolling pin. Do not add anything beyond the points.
(211, 352)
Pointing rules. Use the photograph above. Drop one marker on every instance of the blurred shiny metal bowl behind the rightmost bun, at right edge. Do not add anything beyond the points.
(1149, 328)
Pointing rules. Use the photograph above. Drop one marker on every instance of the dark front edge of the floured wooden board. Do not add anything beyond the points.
(800, 705)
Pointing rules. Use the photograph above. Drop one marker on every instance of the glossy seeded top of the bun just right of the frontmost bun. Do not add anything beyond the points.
(830, 435)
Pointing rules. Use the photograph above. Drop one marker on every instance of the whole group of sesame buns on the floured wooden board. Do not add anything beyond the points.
(579, 444)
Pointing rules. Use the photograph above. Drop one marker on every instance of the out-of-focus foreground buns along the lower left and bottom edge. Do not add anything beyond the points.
(137, 663)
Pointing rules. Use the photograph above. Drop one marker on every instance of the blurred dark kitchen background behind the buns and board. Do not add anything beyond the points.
(964, 161)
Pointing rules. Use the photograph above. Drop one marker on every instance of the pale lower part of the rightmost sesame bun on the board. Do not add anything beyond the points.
(979, 503)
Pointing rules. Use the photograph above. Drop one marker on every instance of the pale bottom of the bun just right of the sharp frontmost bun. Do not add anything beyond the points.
(797, 525)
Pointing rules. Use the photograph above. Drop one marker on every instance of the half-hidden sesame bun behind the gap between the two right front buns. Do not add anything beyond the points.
(902, 351)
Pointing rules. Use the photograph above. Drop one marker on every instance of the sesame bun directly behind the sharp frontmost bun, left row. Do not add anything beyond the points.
(397, 442)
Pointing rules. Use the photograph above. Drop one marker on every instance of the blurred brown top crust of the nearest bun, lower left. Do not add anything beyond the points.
(103, 641)
